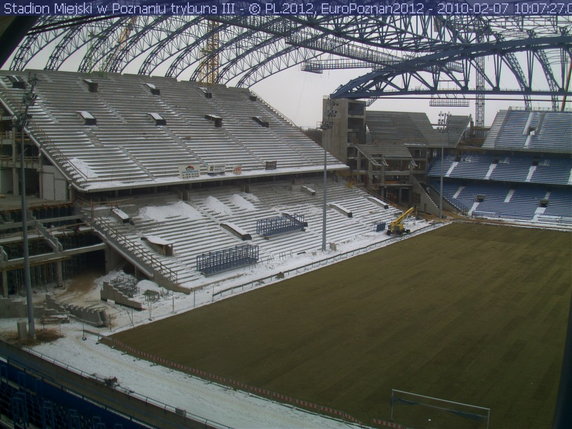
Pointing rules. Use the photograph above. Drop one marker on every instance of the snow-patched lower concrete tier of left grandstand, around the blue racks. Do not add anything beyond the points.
(200, 231)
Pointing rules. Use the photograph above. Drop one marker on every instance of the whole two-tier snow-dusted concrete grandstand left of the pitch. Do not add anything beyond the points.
(167, 173)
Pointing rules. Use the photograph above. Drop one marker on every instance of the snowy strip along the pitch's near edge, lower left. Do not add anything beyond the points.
(210, 401)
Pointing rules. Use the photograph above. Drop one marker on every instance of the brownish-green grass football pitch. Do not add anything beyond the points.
(468, 312)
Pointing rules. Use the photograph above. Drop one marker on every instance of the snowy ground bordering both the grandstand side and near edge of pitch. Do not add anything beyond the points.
(227, 406)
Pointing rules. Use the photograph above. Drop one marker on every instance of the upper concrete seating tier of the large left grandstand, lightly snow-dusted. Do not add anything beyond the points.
(127, 144)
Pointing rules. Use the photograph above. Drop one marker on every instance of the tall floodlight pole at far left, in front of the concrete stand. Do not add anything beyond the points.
(22, 120)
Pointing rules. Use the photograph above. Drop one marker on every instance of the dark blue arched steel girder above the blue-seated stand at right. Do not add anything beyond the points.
(397, 79)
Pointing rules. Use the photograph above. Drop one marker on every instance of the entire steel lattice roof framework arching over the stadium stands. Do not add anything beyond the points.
(252, 48)
